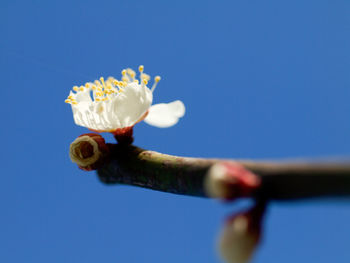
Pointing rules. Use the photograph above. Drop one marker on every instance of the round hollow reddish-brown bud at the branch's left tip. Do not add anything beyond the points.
(89, 151)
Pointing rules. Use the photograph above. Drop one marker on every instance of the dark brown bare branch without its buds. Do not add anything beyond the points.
(131, 165)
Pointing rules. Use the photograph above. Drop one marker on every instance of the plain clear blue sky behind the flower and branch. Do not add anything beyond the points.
(260, 79)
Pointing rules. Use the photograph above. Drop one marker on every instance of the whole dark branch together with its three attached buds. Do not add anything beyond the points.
(225, 179)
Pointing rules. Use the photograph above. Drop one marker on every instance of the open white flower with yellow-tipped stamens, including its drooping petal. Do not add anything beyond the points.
(110, 105)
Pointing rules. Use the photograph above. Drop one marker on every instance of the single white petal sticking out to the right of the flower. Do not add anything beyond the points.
(165, 115)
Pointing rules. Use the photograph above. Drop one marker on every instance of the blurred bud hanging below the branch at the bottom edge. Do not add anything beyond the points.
(241, 235)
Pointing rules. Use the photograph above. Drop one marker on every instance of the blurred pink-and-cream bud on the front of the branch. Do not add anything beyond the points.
(226, 180)
